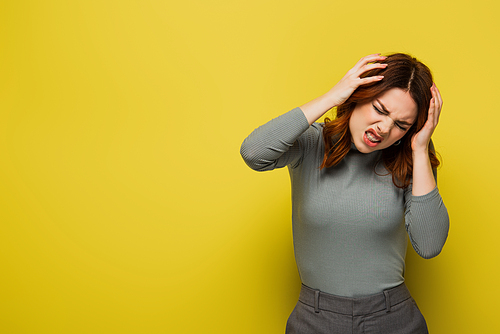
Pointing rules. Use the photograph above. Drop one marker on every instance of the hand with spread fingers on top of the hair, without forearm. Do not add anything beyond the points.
(348, 84)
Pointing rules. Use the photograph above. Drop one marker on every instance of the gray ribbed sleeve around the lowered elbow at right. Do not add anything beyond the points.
(427, 222)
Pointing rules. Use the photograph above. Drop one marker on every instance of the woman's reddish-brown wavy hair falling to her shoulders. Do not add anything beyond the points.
(404, 72)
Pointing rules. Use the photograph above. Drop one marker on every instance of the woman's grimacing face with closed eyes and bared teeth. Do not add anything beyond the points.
(380, 123)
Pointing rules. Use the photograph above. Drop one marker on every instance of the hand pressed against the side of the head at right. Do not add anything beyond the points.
(420, 140)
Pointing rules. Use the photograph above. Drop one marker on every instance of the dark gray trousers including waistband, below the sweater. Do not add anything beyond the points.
(392, 311)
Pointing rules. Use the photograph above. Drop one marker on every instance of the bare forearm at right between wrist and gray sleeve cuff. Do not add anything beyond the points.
(423, 178)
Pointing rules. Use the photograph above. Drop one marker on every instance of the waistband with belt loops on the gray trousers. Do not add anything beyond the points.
(354, 306)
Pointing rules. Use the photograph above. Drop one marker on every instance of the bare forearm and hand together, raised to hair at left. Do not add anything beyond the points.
(314, 109)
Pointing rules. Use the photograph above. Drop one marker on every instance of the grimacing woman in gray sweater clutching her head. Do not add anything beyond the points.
(359, 184)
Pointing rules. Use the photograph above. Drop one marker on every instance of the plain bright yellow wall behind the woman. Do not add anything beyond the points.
(125, 206)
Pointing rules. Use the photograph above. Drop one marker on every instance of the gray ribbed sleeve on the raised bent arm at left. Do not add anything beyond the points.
(272, 144)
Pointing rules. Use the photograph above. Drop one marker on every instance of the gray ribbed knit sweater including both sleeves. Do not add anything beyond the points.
(348, 221)
